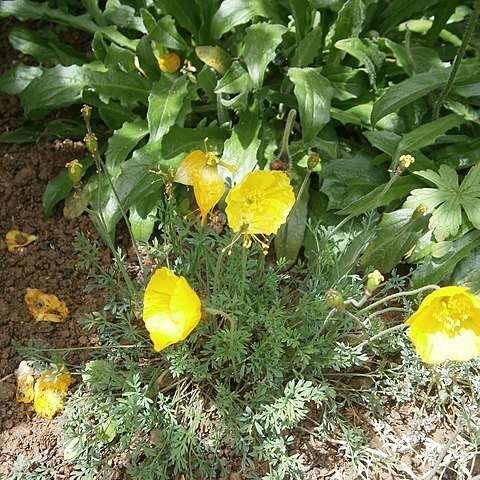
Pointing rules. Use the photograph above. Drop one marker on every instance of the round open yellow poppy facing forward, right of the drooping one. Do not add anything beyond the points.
(259, 205)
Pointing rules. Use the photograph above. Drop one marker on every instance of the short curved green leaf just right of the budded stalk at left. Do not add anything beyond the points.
(122, 142)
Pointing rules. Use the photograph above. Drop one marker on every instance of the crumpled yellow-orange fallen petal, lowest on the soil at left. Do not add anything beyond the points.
(50, 391)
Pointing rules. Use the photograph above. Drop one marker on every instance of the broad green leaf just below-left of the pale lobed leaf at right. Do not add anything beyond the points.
(397, 233)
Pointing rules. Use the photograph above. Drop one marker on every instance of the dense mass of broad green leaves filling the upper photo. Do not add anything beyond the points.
(367, 78)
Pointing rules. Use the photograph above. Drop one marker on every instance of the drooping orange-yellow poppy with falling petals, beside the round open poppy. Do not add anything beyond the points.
(200, 170)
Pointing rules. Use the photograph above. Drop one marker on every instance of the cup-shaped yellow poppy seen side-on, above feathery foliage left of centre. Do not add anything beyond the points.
(171, 309)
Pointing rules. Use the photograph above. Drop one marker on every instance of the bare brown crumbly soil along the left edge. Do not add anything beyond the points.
(47, 264)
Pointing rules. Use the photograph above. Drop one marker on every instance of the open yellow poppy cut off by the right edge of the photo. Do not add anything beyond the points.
(446, 326)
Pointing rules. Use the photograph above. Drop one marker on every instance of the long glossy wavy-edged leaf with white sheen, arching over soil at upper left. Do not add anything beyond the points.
(60, 87)
